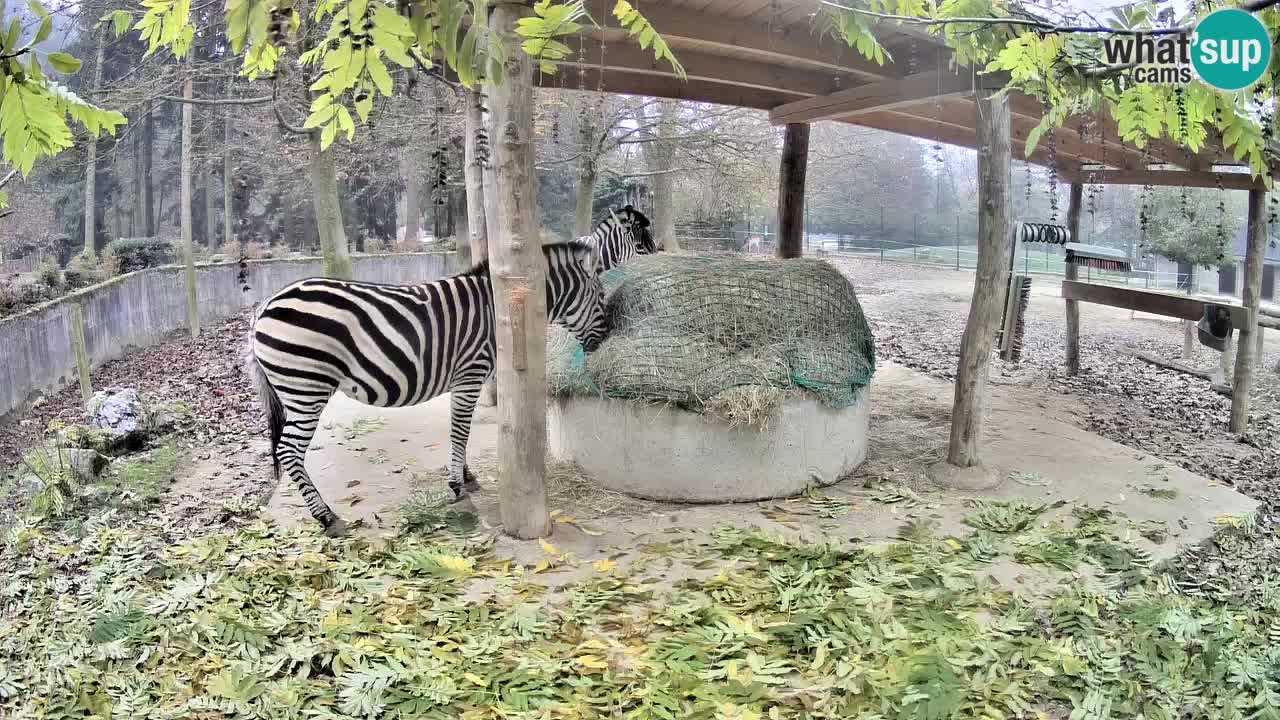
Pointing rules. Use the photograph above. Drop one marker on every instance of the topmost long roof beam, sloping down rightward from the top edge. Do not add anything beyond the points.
(792, 45)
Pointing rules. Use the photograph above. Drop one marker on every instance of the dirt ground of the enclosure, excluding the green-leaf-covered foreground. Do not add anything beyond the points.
(1148, 444)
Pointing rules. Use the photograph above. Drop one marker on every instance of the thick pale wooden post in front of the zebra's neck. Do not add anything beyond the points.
(519, 276)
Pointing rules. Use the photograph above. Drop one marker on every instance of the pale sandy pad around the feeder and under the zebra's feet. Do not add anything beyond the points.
(367, 470)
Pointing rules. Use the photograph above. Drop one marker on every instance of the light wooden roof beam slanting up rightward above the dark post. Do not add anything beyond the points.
(877, 97)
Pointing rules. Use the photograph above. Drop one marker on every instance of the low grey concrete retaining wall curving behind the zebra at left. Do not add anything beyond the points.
(141, 309)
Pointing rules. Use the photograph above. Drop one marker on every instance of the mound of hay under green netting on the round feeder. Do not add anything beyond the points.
(723, 335)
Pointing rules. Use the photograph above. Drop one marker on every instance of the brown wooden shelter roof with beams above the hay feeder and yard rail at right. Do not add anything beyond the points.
(771, 56)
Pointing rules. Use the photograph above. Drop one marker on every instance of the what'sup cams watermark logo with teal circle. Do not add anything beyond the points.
(1229, 49)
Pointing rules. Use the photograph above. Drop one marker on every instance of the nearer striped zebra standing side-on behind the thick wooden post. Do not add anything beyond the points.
(395, 347)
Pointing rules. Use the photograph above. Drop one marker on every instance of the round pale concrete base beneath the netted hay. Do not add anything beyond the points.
(662, 453)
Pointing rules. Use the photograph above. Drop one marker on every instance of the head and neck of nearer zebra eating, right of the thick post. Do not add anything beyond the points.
(575, 297)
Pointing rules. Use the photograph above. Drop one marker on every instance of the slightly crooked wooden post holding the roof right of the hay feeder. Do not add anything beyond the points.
(990, 284)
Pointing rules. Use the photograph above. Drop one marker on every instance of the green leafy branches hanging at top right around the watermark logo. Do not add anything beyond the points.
(1062, 66)
